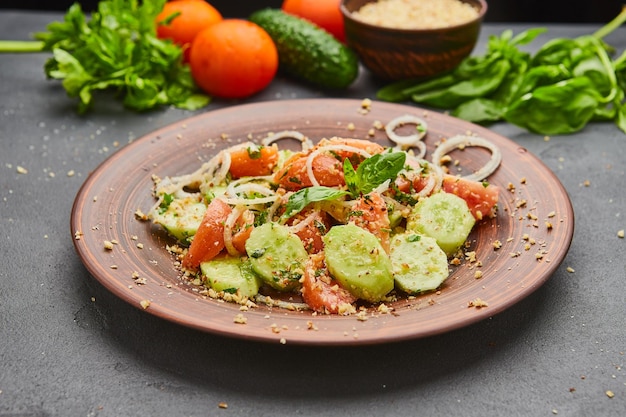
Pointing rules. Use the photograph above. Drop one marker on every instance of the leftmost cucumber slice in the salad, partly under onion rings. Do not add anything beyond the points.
(182, 218)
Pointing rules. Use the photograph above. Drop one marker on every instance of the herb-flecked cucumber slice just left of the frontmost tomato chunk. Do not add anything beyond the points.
(277, 256)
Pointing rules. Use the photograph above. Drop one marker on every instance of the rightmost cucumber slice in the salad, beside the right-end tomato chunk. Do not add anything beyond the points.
(444, 217)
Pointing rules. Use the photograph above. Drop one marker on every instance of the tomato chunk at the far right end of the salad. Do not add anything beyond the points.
(481, 197)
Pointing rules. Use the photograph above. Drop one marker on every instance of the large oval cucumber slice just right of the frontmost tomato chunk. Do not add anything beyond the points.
(356, 259)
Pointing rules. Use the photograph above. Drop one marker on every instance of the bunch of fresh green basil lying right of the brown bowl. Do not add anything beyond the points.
(565, 85)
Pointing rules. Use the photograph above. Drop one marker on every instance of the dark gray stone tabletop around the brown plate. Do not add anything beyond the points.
(70, 348)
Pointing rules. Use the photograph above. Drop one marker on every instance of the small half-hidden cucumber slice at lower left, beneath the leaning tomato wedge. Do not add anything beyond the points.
(230, 274)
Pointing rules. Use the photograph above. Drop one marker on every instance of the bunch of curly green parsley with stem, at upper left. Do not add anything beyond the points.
(118, 50)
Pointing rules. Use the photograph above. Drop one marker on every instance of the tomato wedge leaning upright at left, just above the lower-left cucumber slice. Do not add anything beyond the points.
(208, 241)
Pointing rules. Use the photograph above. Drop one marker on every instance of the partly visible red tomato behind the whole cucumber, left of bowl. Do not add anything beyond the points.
(324, 13)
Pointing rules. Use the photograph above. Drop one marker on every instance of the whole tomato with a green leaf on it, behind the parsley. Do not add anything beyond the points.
(195, 15)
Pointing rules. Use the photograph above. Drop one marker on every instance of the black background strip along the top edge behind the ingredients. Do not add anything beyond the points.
(499, 10)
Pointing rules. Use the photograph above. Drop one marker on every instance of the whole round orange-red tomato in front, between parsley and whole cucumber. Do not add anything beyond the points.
(233, 58)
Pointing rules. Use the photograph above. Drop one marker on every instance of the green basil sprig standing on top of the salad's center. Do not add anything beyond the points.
(372, 172)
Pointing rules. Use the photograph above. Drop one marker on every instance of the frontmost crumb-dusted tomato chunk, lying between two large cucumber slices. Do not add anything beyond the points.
(320, 291)
